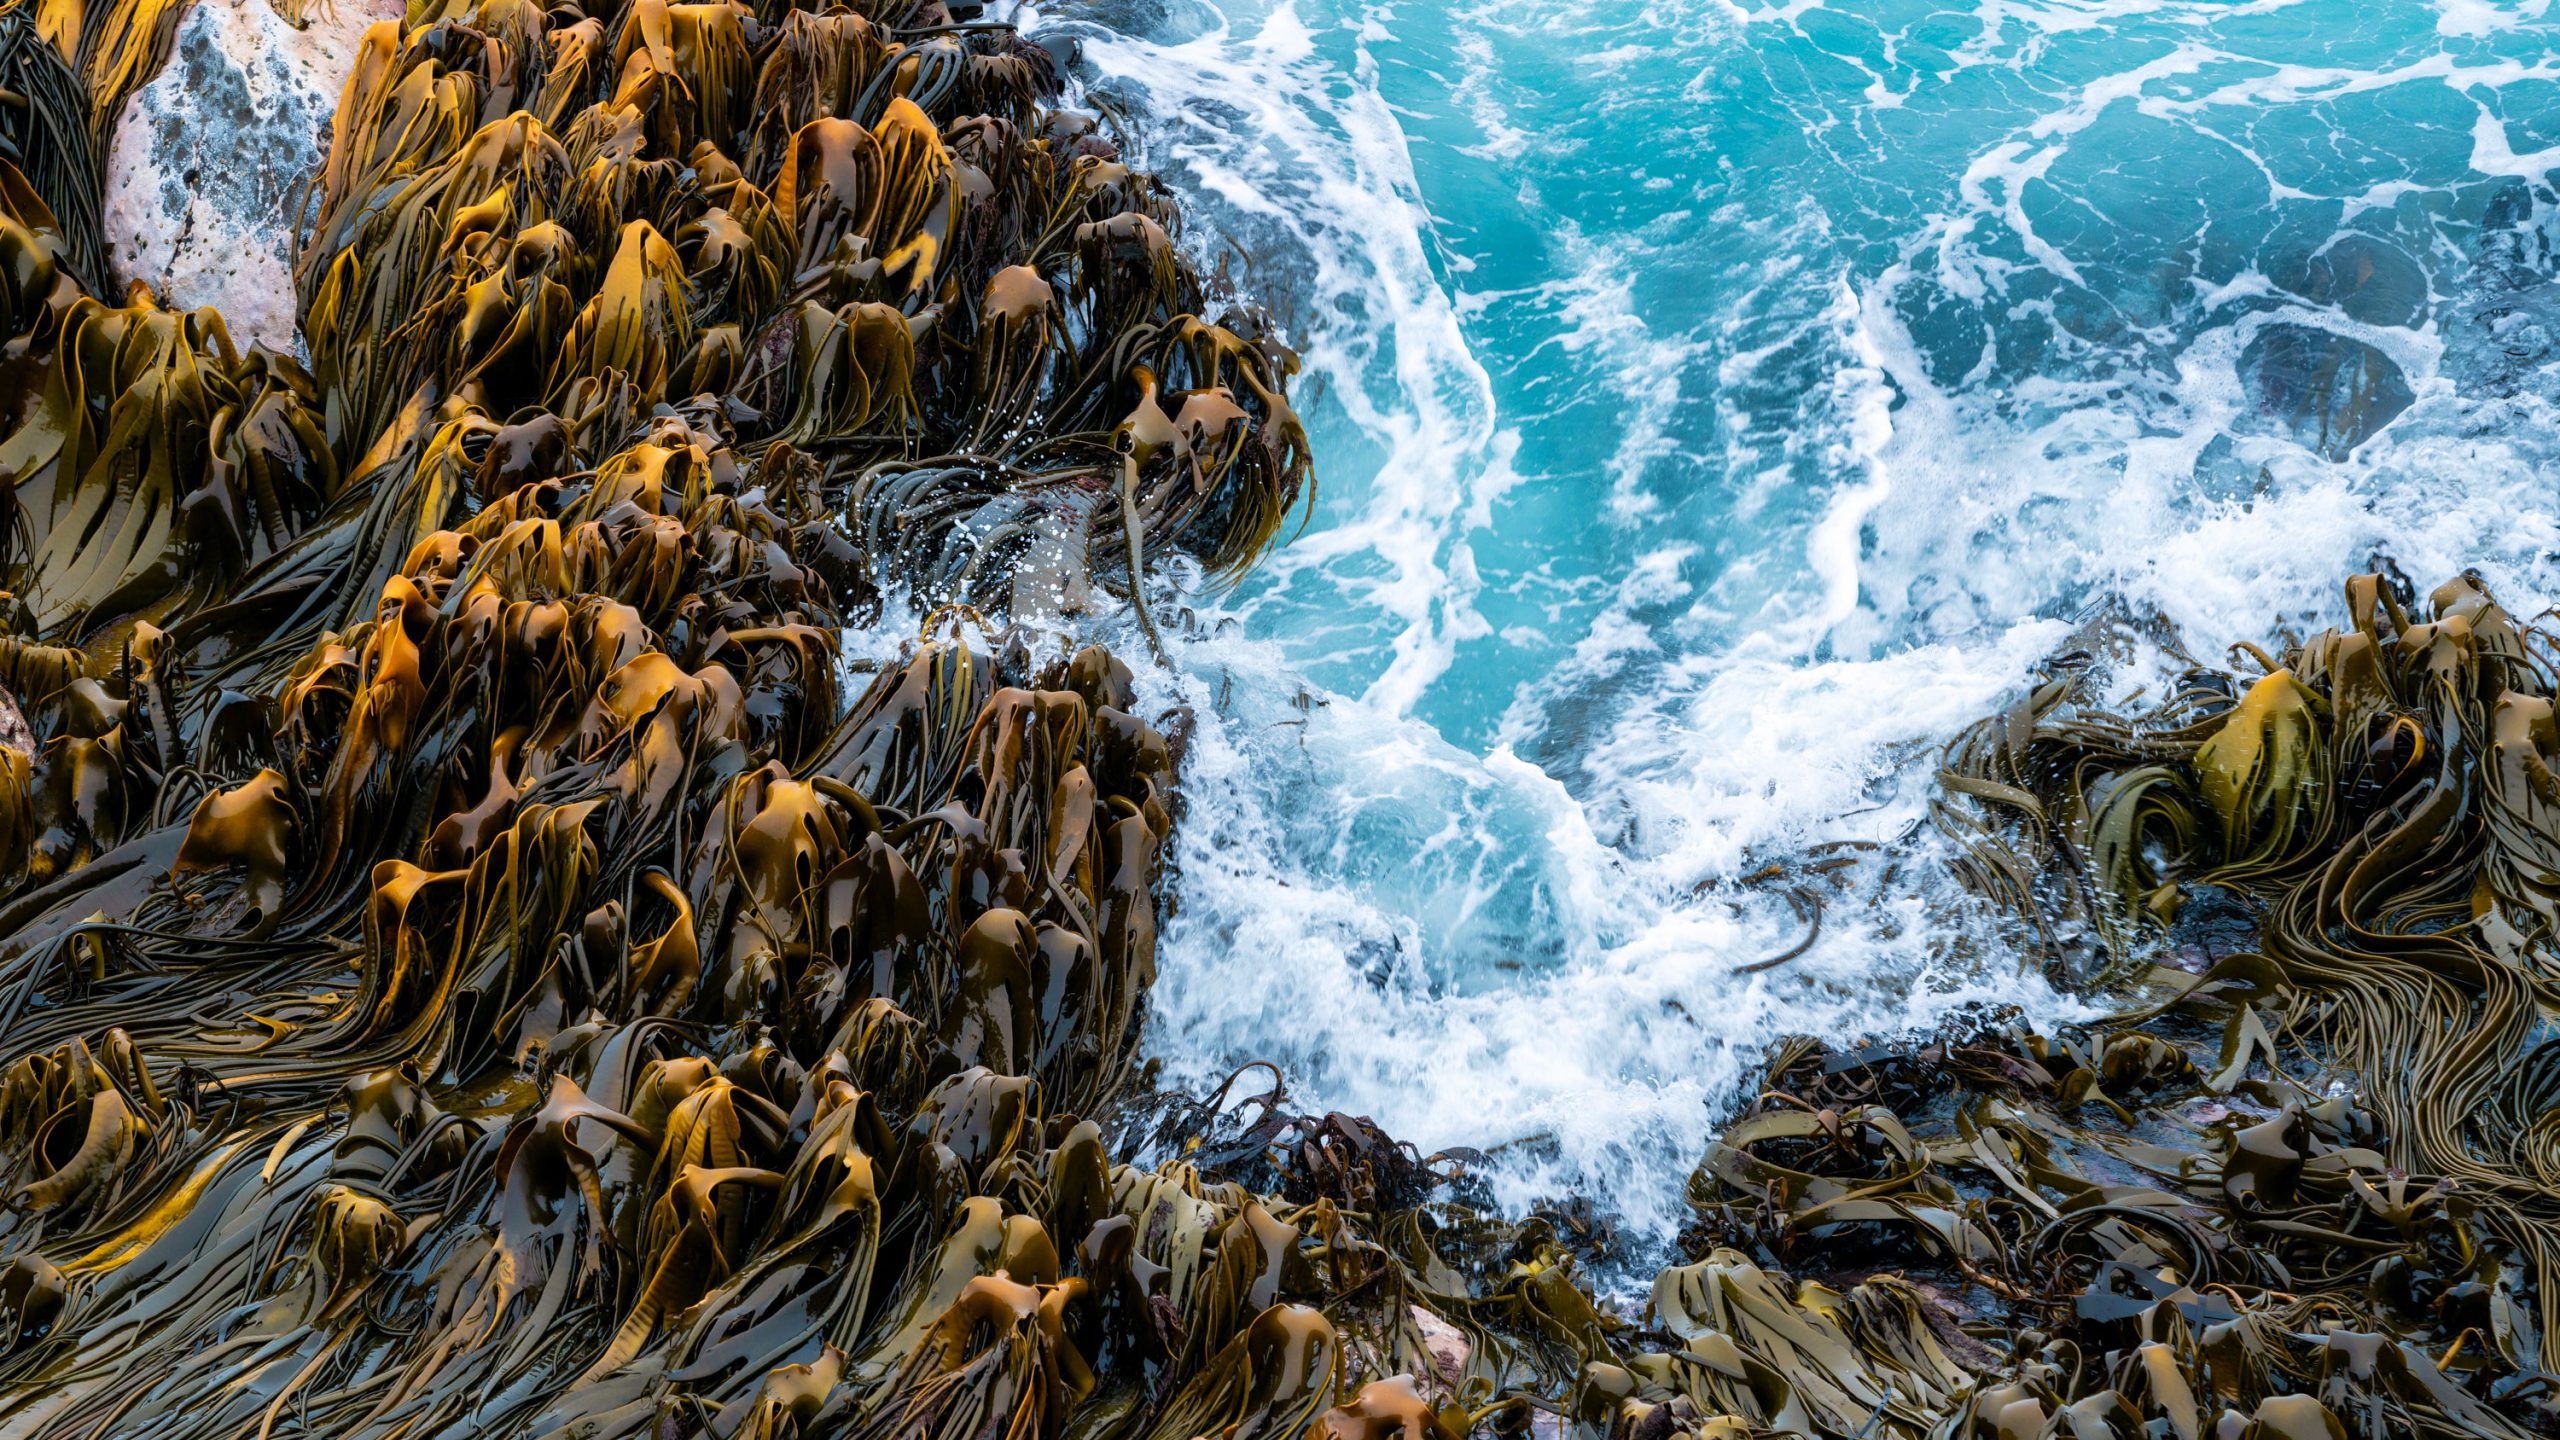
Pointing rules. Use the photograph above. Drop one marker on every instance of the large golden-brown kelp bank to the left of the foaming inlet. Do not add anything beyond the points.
(470, 965)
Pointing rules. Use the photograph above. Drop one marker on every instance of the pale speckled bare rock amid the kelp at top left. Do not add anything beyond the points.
(214, 155)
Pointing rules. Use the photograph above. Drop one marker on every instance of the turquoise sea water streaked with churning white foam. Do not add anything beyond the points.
(1716, 409)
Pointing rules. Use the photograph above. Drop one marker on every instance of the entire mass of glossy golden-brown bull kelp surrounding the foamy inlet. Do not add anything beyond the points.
(477, 962)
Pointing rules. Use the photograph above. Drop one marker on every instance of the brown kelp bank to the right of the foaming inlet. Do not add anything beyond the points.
(2300, 1190)
